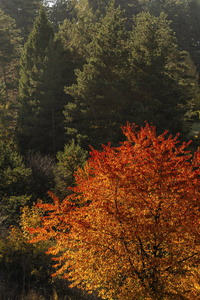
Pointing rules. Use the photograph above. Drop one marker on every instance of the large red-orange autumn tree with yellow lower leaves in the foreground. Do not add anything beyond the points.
(135, 231)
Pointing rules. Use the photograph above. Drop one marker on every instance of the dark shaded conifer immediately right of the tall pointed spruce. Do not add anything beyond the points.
(49, 130)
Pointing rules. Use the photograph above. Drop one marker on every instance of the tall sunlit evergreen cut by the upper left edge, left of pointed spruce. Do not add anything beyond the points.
(10, 50)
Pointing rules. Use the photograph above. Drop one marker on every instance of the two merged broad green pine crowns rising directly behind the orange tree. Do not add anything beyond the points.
(134, 76)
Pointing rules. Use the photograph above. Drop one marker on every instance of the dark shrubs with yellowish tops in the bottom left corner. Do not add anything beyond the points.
(23, 266)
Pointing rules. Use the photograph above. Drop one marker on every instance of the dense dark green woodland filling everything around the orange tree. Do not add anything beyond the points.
(72, 72)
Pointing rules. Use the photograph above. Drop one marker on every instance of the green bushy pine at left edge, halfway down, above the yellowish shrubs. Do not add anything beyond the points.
(13, 183)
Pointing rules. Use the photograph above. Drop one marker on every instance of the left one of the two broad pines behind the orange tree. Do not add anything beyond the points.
(95, 115)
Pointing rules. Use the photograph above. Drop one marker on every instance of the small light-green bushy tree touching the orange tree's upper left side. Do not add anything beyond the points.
(69, 161)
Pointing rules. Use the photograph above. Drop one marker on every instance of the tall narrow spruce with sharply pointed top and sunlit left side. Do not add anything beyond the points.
(33, 61)
